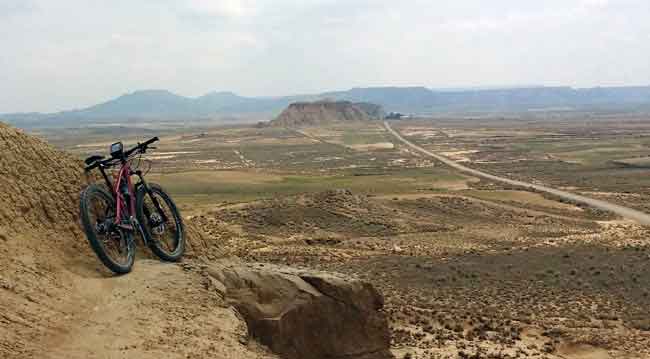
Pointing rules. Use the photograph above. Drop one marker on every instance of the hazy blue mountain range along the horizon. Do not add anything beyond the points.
(162, 104)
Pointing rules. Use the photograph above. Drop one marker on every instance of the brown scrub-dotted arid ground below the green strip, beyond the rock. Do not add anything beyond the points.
(465, 277)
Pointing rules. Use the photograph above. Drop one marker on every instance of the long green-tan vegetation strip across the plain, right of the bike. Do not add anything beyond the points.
(236, 186)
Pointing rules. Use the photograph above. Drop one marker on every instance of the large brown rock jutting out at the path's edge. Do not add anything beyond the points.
(306, 314)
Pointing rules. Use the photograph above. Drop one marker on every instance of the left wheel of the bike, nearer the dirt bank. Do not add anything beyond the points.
(113, 245)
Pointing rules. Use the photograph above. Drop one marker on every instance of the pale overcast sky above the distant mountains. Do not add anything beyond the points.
(66, 54)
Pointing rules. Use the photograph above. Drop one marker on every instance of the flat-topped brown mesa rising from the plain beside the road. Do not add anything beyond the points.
(315, 113)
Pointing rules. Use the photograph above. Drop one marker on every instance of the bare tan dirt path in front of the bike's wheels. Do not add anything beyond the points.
(160, 310)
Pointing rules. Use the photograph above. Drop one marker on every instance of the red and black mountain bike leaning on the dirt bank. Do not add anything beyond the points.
(113, 213)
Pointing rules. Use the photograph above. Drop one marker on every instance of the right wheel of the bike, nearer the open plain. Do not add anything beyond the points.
(161, 223)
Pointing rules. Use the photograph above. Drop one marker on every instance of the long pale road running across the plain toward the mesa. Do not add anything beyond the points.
(625, 212)
